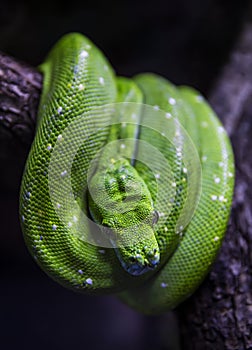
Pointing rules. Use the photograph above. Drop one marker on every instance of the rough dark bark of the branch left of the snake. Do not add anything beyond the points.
(20, 87)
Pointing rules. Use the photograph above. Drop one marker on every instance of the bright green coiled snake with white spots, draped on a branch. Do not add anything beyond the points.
(128, 185)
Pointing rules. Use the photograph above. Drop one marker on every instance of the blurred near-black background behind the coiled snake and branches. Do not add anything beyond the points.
(187, 42)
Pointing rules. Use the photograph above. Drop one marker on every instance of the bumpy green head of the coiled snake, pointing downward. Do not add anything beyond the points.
(138, 258)
